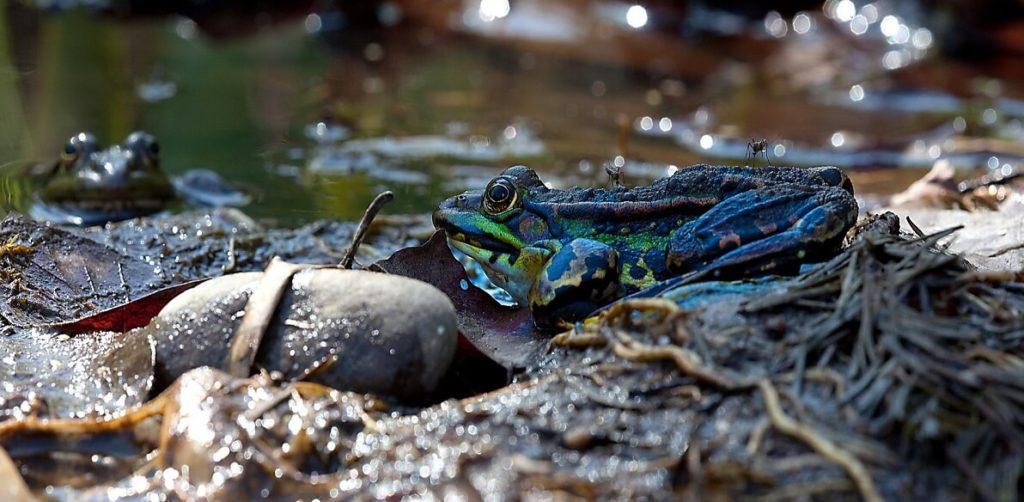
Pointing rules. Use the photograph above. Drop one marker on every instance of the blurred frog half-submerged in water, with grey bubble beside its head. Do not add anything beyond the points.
(91, 185)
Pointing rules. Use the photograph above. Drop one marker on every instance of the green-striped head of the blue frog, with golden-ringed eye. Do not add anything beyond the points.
(499, 227)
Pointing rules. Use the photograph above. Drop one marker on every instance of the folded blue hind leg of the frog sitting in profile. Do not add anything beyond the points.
(765, 230)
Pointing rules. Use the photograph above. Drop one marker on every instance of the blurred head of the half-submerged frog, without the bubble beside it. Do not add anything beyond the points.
(119, 183)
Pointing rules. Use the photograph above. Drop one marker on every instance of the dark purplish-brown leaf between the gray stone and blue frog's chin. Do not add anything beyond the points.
(506, 336)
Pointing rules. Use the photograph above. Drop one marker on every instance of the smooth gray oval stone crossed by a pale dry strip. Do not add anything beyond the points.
(393, 336)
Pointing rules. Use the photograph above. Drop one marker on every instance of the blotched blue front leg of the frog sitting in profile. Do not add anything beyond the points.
(580, 278)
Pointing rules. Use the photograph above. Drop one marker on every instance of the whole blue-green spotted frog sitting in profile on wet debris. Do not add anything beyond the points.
(566, 254)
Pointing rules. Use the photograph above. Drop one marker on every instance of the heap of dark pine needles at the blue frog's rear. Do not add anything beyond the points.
(928, 349)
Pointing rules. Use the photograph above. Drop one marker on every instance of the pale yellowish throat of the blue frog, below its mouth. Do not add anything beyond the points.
(514, 271)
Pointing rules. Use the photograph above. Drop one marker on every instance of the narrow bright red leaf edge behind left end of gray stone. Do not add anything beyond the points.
(134, 315)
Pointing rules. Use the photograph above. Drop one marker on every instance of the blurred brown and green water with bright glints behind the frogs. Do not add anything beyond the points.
(314, 107)
